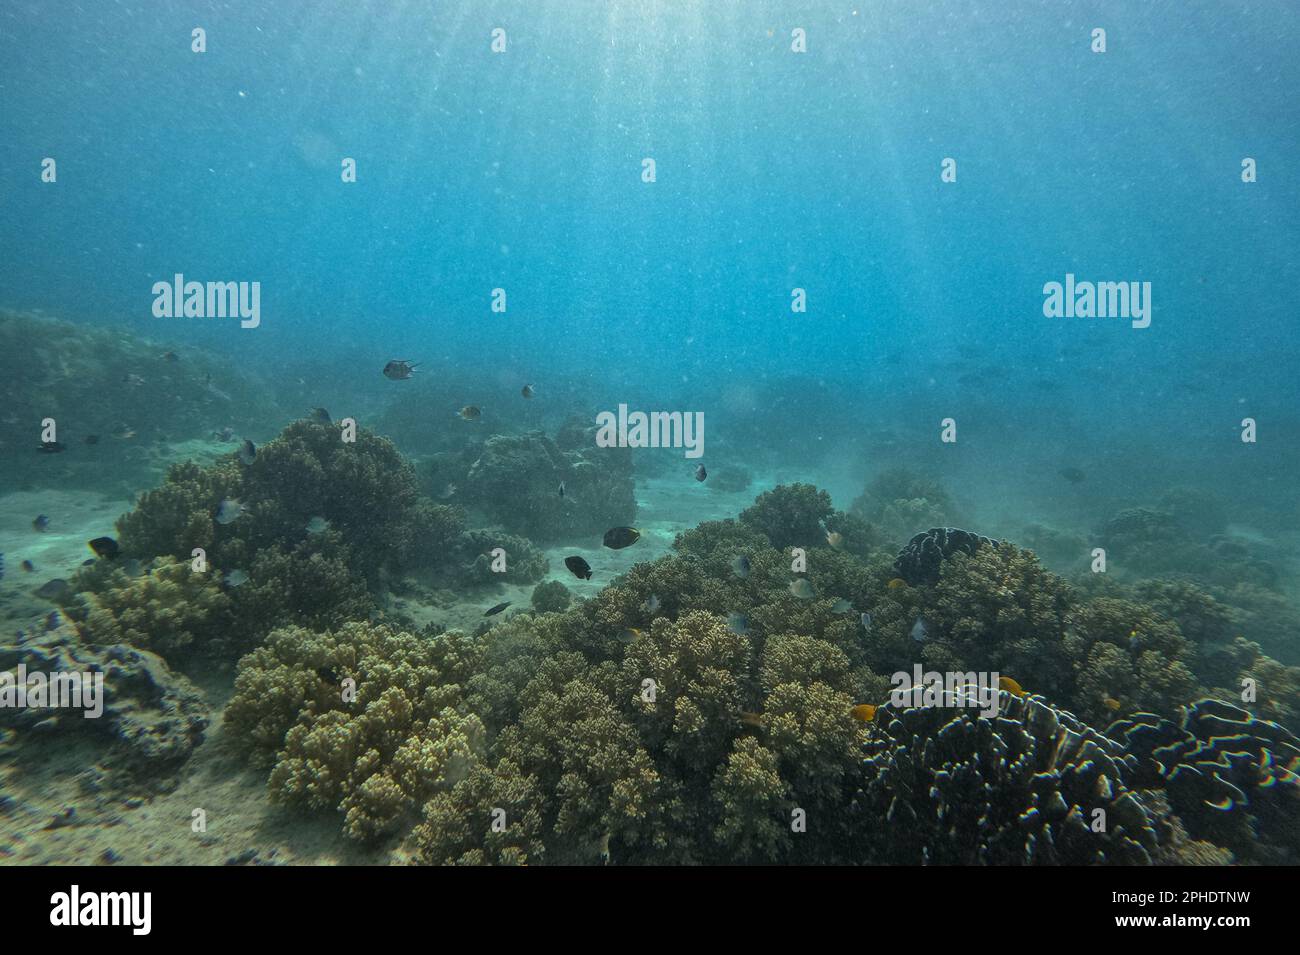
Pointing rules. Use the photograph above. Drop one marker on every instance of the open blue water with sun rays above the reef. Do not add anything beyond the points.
(820, 171)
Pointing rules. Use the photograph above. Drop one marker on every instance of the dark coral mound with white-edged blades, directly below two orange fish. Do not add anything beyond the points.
(942, 785)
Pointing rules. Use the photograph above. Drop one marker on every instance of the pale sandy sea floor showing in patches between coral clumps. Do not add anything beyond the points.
(59, 811)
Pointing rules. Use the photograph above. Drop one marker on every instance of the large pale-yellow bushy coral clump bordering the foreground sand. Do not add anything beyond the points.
(363, 720)
